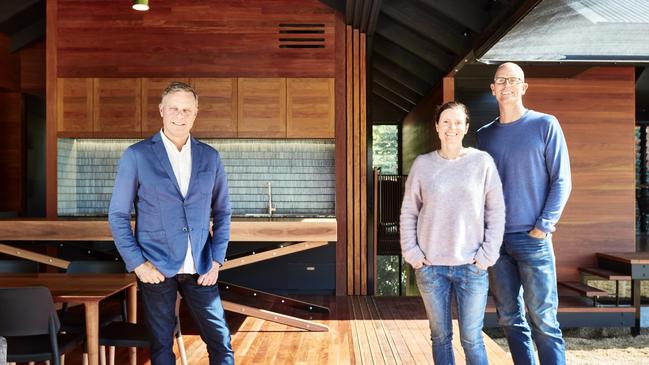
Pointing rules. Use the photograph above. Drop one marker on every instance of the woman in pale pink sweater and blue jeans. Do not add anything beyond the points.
(452, 224)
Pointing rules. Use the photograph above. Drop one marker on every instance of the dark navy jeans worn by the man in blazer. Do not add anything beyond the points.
(204, 303)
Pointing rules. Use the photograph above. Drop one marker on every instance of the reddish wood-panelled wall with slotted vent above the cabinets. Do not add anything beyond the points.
(191, 39)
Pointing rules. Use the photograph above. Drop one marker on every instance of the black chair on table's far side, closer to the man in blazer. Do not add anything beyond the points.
(73, 319)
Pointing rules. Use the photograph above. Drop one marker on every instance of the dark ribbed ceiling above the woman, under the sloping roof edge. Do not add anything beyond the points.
(413, 44)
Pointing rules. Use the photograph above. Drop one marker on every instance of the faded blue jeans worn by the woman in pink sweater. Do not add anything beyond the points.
(469, 285)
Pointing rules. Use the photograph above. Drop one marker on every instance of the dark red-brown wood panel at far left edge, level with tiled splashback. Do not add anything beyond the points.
(12, 156)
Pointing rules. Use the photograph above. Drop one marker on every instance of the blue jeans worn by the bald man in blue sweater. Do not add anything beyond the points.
(525, 276)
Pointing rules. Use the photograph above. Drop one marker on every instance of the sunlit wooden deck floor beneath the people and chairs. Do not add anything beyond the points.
(363, 330)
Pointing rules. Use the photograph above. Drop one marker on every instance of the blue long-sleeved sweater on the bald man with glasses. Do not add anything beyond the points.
(532, 160)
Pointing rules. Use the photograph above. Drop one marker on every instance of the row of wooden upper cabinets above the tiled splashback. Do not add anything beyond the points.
(228, 107)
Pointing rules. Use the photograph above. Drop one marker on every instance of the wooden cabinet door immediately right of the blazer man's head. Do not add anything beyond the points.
(217, 107)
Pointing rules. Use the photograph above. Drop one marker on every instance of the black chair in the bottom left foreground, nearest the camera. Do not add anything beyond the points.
(30, 325)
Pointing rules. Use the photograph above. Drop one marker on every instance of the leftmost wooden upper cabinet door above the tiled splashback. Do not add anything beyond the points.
(74, 107)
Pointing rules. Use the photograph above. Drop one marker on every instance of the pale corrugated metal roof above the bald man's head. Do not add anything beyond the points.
(578, 31)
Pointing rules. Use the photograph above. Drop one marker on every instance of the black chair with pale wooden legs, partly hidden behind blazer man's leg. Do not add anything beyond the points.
(124, 334)
